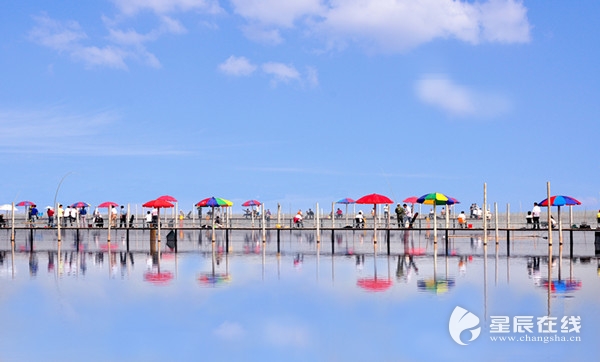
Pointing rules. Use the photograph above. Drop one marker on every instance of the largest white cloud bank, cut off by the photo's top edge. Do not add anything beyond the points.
(392, 25)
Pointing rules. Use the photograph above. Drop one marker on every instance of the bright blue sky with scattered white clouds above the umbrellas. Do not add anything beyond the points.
(298, 102)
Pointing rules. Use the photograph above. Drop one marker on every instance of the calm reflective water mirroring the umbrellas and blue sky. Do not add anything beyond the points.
(340, 299)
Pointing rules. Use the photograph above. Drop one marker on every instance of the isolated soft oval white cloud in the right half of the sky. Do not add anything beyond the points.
(458, 100)
